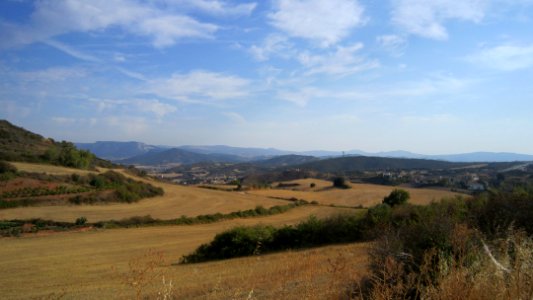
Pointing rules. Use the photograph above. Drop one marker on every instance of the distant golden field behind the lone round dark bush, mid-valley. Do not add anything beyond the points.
(359, 194)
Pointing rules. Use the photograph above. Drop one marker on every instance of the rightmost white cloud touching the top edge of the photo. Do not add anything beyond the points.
(427, 18)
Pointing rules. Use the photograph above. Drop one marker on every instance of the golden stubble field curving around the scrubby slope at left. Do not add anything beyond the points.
(177, 201)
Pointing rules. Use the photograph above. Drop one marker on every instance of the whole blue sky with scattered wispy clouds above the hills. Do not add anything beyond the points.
(427, 76)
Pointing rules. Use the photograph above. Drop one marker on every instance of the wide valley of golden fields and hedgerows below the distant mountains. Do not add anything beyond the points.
(127, 243)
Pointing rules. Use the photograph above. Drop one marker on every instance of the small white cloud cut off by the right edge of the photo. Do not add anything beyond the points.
(504, 57)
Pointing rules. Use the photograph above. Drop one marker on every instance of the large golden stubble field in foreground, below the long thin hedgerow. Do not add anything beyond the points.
(79, 263)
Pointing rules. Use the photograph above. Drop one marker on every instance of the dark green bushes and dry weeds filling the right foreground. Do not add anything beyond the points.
(416, 249)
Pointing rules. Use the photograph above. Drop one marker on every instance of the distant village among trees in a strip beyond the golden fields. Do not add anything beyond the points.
(468, 180)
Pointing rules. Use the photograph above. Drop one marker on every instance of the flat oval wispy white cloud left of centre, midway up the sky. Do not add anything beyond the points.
(200, 86)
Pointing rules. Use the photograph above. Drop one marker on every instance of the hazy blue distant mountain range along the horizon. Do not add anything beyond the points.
(132, 153)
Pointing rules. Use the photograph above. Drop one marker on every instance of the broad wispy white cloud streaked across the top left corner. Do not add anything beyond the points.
(53, 18)
